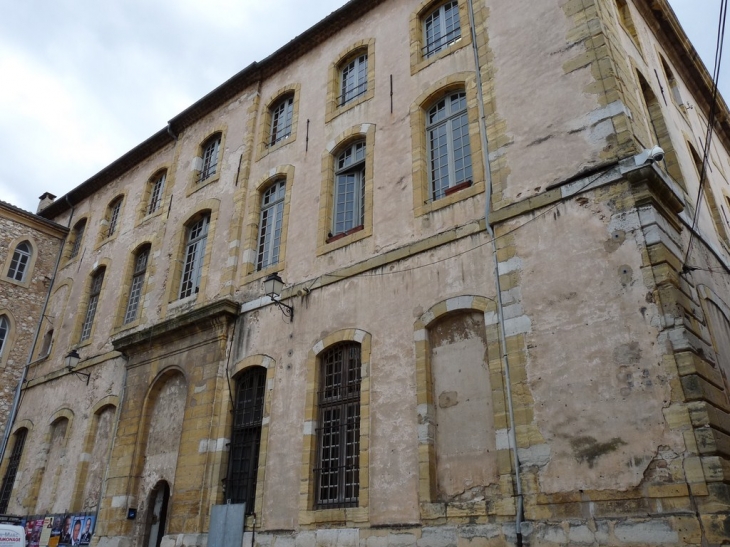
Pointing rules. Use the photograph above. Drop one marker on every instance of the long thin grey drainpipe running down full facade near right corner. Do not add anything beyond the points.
(500, 309)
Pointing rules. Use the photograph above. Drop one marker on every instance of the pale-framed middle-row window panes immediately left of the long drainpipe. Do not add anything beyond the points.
(449, 150)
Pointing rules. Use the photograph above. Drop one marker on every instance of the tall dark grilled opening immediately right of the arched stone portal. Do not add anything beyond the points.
(246, 437)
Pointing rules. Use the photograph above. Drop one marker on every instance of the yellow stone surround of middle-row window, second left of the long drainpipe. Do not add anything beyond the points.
(364, 131)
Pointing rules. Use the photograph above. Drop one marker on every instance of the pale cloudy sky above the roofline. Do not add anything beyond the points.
(84, 81)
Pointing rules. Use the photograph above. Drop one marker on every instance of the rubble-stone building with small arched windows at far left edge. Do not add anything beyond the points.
(29, 250)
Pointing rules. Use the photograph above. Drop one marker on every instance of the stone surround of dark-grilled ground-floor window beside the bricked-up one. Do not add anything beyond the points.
(308, 516)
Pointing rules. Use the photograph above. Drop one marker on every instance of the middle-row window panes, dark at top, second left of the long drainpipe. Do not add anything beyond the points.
(349, 195)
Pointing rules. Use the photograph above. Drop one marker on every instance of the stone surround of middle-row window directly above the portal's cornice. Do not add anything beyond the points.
(179, 243)
